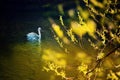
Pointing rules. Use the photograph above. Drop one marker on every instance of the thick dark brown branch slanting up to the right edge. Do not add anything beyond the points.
(100, 60)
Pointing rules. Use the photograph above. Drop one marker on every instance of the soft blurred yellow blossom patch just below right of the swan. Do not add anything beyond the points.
(54, 56)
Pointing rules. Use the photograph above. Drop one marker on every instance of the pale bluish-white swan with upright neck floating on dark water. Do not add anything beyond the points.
(34, 37)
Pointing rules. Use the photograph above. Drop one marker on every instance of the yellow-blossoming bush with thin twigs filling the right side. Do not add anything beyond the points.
(90, 44)
